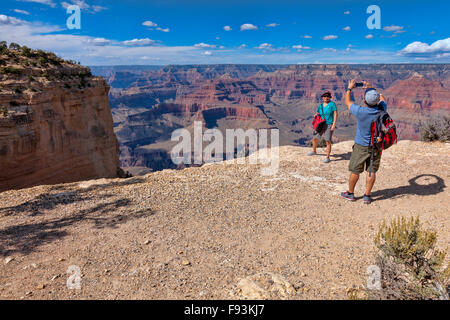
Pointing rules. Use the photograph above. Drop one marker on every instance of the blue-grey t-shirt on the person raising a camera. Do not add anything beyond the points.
(364, 117)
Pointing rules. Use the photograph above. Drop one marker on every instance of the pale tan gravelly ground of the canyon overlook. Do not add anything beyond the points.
(198, 232)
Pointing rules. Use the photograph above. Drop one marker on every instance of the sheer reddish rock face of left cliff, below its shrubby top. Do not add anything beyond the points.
(57, 135)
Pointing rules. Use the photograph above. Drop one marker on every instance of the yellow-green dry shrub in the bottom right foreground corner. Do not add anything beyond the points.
(411, 267)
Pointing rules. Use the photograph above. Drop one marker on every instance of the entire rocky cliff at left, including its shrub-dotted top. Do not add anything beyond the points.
(56, 125)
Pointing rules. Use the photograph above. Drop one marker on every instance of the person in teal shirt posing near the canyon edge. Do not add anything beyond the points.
(327, 111)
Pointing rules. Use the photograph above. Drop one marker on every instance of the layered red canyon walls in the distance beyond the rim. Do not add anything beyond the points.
(149, 102)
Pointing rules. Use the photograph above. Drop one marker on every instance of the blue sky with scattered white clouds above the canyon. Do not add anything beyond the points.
(246, 31)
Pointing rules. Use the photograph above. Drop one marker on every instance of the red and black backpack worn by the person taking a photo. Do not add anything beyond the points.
(383, 133)
